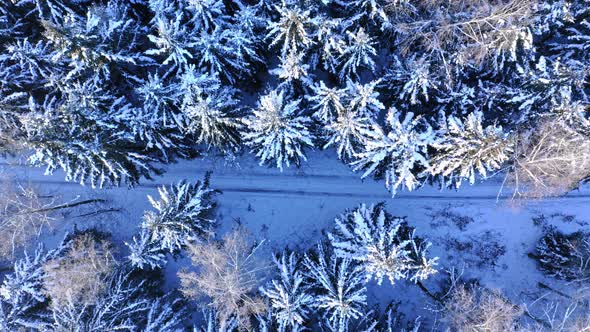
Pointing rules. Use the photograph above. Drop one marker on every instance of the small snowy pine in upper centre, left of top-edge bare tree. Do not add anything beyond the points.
(358, 52)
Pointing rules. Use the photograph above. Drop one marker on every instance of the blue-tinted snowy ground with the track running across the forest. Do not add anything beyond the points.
(469, 228)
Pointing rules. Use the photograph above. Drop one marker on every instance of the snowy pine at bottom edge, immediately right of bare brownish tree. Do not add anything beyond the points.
(289, 298)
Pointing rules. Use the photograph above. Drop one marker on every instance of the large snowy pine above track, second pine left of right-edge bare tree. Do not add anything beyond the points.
(397, 154)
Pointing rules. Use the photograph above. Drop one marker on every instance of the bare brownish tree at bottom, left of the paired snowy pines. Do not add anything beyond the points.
(229, 276)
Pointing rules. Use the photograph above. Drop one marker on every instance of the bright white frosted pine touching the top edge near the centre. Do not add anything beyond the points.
(292, 29)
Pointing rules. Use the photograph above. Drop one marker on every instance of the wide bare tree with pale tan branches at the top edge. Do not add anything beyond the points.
(463, 31)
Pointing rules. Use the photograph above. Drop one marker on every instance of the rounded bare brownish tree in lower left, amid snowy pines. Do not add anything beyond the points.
(80, 275)
